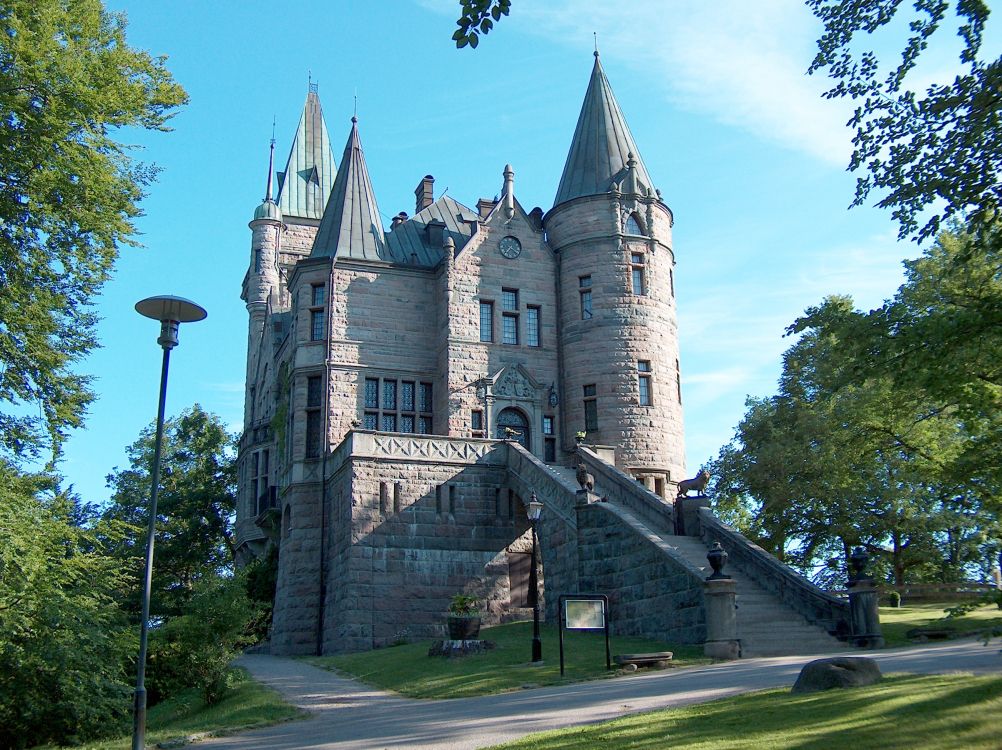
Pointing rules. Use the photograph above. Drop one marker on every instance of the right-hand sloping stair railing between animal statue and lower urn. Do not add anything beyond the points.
(818, 606)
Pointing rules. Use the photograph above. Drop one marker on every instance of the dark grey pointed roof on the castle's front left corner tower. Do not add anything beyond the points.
(351, 227)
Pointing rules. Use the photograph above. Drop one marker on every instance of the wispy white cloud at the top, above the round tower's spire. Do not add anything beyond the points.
(742, 64)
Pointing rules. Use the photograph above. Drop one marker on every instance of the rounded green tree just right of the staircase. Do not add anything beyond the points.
(842, 457)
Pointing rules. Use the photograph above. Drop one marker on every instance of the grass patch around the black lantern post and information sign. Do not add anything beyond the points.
(409, 670)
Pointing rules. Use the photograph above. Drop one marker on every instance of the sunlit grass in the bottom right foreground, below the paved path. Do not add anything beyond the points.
(938, 712)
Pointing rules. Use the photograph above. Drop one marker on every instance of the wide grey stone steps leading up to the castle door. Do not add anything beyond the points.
(766, 626)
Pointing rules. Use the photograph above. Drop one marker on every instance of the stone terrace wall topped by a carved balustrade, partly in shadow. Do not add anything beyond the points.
(417, 520)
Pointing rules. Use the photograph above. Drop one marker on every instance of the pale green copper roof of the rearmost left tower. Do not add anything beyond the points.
(305, 186)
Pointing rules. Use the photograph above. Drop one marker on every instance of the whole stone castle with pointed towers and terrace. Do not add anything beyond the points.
(409, 390)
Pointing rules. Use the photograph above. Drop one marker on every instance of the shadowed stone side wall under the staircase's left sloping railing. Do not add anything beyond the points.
(650, 594)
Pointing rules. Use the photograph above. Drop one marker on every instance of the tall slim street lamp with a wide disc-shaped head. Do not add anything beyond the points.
(171, 312)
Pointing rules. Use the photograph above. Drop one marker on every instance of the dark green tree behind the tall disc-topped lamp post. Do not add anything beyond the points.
(197, 502)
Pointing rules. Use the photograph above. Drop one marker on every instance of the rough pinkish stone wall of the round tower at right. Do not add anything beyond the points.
(626, 328)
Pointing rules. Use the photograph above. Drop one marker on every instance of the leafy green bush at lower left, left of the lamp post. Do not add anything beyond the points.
(66, 649)
